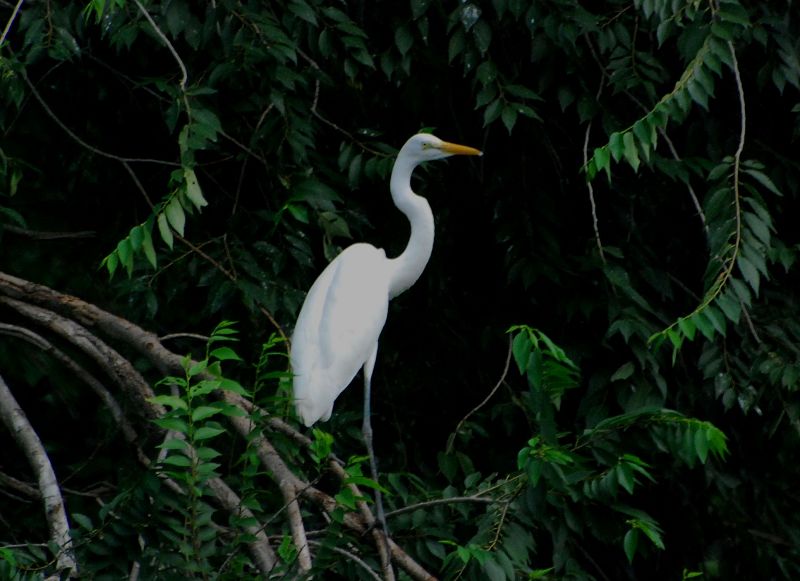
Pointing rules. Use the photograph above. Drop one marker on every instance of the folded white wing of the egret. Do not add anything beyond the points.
(338, 327)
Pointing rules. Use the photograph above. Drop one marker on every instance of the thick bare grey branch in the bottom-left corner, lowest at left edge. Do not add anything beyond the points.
(28, 440)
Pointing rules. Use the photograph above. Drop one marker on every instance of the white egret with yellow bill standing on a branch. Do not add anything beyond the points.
(344, 312)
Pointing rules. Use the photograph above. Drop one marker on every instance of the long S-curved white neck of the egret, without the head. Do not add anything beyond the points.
(407, 268)
